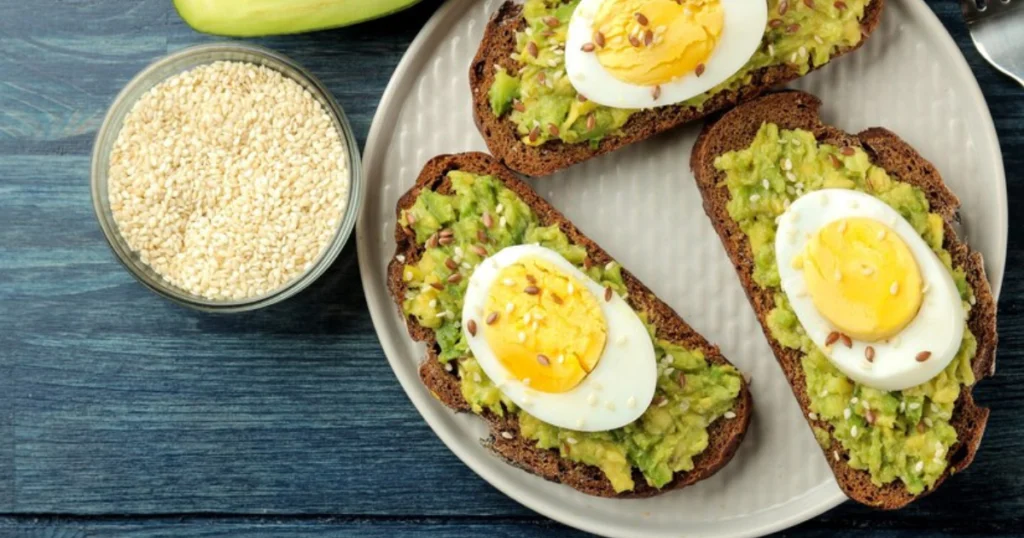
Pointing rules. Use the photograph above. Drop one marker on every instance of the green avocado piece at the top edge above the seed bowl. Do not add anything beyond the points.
(267, 18)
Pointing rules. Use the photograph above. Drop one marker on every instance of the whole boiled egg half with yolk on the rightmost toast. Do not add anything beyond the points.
(868, 289)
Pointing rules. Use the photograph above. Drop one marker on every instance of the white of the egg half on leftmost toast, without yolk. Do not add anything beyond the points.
(615, 394)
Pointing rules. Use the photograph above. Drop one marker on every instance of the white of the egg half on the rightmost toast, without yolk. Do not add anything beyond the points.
(938, 326)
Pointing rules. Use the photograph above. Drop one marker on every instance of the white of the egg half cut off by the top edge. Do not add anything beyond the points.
(742, 35)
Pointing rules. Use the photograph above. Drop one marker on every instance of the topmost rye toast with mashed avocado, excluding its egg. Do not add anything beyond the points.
(554, 129)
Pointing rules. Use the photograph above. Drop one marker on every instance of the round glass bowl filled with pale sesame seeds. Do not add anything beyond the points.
(226, 178)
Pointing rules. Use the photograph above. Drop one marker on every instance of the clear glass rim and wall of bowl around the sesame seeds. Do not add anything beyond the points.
(168, 67)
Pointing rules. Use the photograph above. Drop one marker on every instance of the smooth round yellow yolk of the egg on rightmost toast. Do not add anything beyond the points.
(863, 278)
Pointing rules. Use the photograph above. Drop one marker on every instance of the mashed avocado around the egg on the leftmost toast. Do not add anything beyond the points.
(691, 394)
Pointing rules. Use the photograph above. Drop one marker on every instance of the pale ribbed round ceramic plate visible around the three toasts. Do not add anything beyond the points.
(910, 77)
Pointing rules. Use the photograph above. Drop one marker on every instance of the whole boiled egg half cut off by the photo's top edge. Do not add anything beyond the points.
(645, 54)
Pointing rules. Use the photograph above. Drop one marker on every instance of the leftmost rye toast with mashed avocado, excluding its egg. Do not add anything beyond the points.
(696, 384)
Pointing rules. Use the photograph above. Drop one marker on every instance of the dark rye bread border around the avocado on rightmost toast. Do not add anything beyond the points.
(794, 110)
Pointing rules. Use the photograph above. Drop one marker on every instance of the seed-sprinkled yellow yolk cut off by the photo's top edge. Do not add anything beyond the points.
(652, 43)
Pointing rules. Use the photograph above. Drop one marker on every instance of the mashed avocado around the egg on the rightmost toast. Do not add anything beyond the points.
(901, 435)
